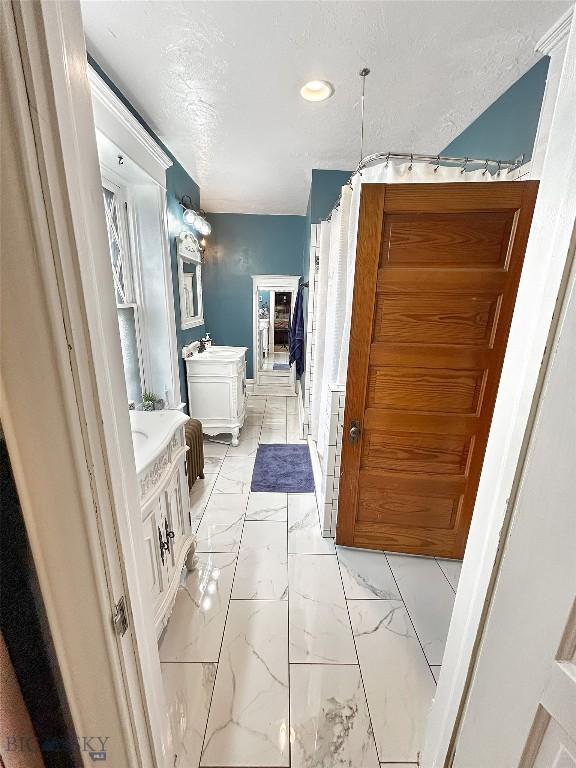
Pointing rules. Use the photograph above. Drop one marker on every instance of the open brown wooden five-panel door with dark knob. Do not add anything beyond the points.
(437, 271)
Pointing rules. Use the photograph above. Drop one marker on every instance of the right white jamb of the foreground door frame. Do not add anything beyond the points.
(544, 268)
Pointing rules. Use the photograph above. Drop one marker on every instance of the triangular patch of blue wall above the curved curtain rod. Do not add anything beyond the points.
(508, 127)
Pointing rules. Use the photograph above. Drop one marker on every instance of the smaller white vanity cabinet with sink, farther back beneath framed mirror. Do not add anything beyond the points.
(217, 388)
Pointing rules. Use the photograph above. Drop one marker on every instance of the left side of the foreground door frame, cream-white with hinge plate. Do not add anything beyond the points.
(63, 394)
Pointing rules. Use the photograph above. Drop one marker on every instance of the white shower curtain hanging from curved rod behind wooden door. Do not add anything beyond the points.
(333, 319)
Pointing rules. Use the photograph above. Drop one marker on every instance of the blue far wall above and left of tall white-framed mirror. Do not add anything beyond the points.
(242, 245)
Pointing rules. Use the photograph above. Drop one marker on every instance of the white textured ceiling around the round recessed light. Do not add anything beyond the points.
(219, 81)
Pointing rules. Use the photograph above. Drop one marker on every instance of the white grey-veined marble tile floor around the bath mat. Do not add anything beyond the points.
(284, 650)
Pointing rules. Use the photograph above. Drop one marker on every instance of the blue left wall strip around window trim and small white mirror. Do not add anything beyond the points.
(178, 184)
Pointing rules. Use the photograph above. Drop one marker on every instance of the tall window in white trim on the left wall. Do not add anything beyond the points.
(125, 286)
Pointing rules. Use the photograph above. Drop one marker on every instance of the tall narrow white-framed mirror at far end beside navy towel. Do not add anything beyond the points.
(273, 308)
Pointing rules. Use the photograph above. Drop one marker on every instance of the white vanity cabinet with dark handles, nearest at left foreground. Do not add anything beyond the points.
(160, 453)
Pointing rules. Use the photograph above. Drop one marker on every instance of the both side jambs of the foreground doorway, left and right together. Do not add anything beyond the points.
(87, 401)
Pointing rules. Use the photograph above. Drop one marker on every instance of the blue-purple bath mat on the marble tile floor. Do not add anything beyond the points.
(281, 468)
